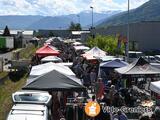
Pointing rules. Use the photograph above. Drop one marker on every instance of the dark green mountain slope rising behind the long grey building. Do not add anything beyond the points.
(149, 11)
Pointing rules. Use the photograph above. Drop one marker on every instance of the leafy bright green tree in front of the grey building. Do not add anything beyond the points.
(106, 43)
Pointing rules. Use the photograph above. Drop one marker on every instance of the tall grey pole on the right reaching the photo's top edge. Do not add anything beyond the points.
(128, 29)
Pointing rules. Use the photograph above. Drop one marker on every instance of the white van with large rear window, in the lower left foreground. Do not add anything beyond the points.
(30, 105)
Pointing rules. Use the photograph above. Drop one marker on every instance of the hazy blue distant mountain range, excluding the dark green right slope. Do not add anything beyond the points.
(48, 22)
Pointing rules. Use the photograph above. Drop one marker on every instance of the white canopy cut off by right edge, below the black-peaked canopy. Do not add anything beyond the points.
(155, 87)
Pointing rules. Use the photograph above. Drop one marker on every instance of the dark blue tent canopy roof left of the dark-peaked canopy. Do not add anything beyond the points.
(114, 64)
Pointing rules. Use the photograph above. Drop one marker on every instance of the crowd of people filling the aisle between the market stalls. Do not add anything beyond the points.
(107, 88)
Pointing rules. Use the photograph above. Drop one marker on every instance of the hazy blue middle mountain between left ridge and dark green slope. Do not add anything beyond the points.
(64, 21)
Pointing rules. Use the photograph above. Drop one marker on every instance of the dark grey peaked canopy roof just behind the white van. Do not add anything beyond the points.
(55, 80)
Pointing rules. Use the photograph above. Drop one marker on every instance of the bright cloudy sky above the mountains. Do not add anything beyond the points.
(62, 7)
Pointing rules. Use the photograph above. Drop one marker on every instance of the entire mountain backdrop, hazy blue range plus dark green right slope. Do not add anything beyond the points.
(149, 11)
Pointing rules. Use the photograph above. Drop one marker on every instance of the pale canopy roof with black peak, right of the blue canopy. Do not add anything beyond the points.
(138, 67)
